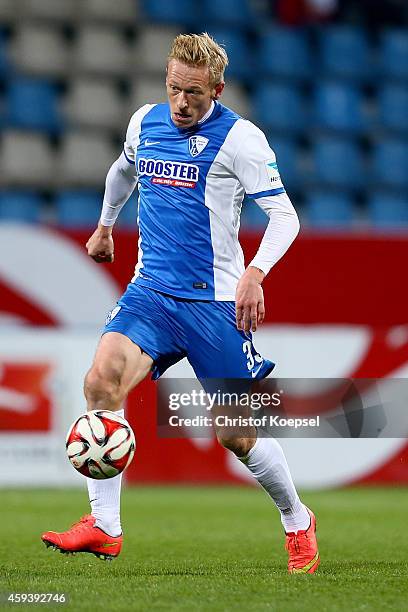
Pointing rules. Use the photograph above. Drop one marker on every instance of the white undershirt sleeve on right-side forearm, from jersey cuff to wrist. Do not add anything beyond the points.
(282, 229)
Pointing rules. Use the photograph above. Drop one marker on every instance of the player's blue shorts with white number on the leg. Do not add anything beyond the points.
(169, 328)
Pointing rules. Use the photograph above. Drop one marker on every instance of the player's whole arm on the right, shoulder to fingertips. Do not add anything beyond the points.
(256, 168)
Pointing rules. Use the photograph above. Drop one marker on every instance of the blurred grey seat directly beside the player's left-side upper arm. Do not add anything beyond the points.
(84, 159)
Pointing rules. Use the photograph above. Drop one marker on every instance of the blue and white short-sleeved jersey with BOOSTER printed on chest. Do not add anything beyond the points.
(191, 185)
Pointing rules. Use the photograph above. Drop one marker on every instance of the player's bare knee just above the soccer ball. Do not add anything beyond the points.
(103, 390)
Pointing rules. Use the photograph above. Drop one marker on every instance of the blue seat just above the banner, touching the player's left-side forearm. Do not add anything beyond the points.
(78, 209)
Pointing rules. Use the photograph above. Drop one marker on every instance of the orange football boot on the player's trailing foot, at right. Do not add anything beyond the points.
(302, 549)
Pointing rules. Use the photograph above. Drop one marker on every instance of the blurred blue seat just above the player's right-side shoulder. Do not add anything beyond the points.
(280, 108)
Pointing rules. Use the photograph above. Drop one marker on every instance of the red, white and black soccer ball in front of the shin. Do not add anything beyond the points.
(100, 444)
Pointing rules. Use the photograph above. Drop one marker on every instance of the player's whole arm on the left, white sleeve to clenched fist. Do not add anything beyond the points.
(120, 183)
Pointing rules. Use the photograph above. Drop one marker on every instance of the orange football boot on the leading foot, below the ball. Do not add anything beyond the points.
(84, 537)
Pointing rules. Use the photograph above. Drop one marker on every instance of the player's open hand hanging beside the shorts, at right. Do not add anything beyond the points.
(249, 300)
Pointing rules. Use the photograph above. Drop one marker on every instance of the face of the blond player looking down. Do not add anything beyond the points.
(189, 92)
